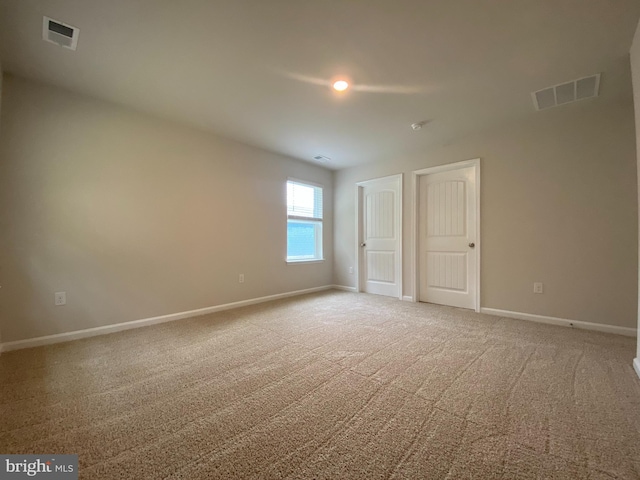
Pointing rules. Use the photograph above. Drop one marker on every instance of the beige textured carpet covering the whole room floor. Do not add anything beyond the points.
(334, 385)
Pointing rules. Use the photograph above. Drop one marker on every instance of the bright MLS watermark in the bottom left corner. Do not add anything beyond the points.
(51, 467)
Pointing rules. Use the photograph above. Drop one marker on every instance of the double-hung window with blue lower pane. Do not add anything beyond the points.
(304, 222)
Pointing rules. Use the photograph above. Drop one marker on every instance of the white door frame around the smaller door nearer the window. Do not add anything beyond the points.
(359, 229)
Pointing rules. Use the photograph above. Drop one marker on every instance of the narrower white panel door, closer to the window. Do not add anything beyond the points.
(380, 240)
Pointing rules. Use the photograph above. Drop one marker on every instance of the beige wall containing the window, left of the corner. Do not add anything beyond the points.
(134, 216)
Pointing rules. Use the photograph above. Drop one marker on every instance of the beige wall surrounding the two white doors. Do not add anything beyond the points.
(558, 205)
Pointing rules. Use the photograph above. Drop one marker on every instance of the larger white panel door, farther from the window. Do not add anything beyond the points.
(447, 230)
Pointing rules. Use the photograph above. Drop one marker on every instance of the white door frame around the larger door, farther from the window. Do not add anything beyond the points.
(415, 219)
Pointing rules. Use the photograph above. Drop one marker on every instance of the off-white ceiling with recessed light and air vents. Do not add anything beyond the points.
(230, 66)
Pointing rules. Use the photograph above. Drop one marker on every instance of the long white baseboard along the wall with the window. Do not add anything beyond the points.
(145, 322)
